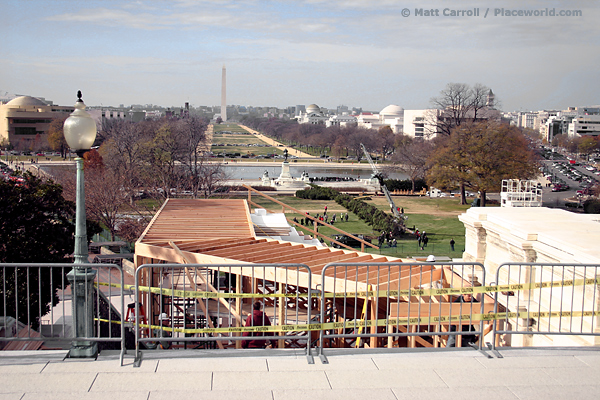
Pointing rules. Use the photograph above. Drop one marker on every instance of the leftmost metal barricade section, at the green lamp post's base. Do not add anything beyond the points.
(37, 305)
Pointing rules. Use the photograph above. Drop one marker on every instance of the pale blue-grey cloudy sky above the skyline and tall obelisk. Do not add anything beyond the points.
(358, 53)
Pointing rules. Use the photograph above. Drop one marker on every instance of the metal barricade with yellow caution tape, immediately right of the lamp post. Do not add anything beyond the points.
(210, 306)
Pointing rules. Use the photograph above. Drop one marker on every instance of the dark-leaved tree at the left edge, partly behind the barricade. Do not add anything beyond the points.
(35, 227)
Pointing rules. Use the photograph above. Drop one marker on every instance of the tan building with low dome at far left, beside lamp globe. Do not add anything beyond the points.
(25, 120)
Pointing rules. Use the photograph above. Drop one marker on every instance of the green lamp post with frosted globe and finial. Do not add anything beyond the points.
(80, 133)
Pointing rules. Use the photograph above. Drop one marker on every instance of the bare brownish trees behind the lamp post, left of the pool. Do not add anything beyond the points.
(154, 158)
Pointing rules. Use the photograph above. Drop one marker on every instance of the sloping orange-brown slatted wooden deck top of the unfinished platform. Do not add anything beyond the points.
(221, 231)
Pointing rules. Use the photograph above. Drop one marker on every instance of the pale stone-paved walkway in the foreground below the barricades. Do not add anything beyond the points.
(285, 374)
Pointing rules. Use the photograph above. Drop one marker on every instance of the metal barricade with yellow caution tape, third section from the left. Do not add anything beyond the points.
(402, 305)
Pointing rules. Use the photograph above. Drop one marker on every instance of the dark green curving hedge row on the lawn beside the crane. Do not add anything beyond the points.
(379, 220)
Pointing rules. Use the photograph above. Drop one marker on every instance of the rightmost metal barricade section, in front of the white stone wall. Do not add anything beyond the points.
(547, 304)
